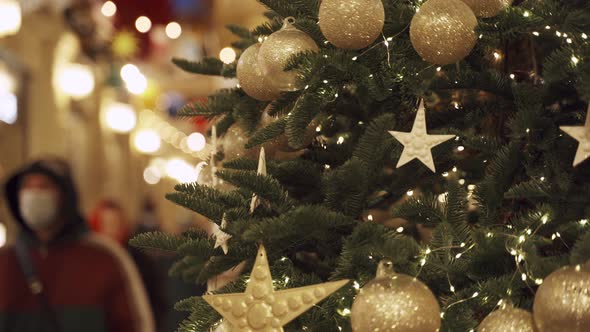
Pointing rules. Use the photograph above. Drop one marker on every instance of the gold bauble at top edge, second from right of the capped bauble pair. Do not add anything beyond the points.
(351, 24)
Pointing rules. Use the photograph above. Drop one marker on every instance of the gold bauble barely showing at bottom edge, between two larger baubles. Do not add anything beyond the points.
(509, 319)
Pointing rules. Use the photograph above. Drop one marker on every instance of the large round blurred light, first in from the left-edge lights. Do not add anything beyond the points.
(76, 80)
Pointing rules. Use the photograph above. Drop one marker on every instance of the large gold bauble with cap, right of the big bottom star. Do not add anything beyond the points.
(395, 303)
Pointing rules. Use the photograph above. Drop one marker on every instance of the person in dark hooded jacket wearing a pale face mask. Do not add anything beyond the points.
(58, 277)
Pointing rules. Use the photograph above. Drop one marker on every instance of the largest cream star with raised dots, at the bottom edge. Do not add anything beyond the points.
(262, 309)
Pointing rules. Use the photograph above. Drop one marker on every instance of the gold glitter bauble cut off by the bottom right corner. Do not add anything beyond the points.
(562, 302)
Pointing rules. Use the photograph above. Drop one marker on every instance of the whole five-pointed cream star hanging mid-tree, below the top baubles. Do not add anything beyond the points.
(417, 143)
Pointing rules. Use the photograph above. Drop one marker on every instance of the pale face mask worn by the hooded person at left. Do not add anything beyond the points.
(38, 208)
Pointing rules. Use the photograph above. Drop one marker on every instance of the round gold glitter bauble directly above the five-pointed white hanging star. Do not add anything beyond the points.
(443, 31)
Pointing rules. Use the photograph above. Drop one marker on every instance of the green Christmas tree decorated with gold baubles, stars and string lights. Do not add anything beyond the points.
(443, 139)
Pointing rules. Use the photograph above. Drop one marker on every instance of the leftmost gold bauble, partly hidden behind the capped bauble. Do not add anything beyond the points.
(251, 79)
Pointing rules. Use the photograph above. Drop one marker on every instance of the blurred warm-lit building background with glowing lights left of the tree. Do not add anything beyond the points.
(92, 82)
